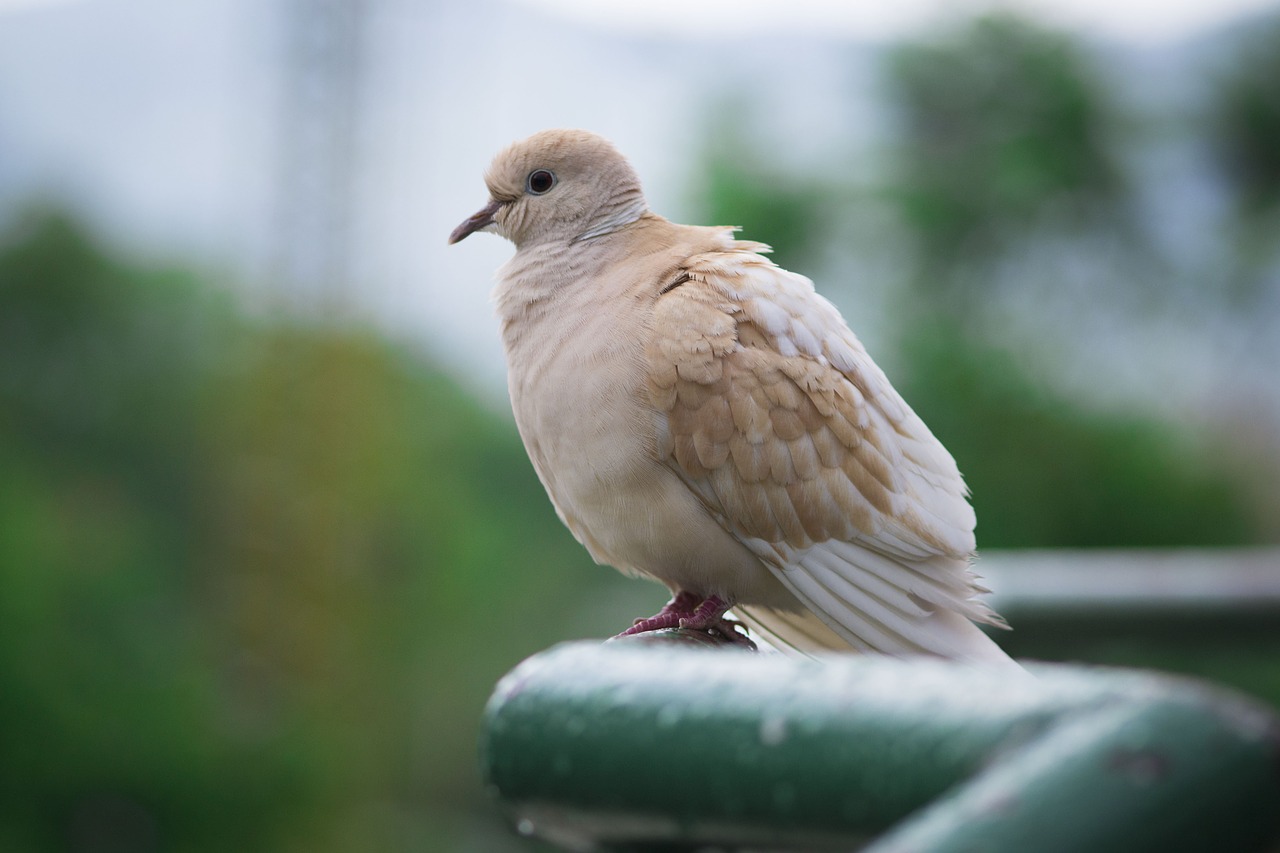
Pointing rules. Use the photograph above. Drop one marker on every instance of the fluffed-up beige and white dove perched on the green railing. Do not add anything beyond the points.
(703, 418)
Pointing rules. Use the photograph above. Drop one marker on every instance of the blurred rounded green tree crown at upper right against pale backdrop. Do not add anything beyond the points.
(1002, 131)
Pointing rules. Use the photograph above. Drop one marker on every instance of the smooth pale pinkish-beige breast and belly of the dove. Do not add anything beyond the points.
(577, 376)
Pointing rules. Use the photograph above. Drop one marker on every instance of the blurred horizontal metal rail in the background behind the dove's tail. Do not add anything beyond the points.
(1181, 608)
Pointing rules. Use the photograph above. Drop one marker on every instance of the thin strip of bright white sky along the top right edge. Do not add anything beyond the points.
(1150, 21)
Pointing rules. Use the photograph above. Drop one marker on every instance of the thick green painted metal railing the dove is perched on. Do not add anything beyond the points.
(648, 745)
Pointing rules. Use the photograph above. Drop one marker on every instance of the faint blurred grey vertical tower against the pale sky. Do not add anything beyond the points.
(318, 131)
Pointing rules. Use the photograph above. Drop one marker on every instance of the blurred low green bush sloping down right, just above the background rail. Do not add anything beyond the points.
(1046, 472)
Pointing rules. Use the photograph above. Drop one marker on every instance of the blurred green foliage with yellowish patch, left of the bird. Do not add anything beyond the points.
(259, 578)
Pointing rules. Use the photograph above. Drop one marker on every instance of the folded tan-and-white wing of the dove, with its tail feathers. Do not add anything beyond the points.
(772, 412)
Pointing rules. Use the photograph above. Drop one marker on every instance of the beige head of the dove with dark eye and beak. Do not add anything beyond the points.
(557, 186)
